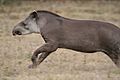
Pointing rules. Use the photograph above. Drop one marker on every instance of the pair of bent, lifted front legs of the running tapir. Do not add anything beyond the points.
(45, 50)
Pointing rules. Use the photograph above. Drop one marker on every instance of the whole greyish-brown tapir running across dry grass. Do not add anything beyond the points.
(86, 36)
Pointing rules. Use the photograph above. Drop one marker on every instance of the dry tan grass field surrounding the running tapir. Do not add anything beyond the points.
(15, 52)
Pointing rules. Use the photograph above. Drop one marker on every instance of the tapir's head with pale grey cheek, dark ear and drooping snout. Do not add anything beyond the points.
(27, 26)
